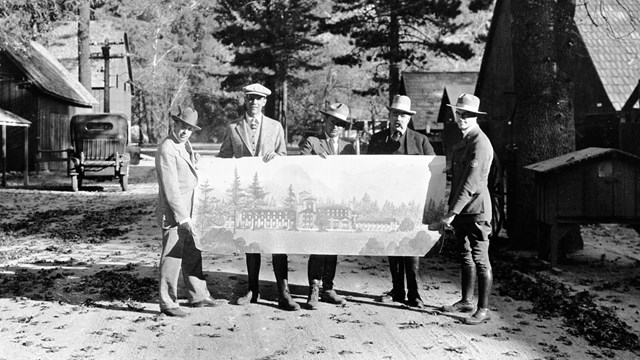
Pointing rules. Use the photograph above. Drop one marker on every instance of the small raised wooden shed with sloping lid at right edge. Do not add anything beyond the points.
(593, 185)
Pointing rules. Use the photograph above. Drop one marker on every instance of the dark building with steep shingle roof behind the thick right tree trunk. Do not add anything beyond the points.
(604, 66)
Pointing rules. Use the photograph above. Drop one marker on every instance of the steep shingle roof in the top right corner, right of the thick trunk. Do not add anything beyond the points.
(611, 32)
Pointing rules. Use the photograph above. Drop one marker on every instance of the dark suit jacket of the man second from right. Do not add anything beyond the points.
(411, 143)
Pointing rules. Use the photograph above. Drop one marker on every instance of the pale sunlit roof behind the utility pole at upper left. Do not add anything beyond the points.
(63, 44)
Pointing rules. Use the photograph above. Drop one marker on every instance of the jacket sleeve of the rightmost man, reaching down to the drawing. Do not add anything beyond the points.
(475, 178)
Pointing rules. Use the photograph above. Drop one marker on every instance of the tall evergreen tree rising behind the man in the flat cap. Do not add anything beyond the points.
(273, 41)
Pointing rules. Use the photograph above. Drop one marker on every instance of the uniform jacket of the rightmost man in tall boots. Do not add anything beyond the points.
(471, 162)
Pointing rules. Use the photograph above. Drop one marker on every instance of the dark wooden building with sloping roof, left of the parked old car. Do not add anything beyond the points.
(37, 88)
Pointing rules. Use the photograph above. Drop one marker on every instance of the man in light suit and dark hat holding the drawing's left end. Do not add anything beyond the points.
(177, 178)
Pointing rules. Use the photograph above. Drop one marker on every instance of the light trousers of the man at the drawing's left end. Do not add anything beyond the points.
(179, 253)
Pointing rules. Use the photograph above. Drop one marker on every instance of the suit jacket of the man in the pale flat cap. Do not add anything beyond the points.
(236, 142)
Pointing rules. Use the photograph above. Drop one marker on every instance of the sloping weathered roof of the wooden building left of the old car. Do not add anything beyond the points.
(48, 75)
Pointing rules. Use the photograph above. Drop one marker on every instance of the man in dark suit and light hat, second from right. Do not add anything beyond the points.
(398, 139)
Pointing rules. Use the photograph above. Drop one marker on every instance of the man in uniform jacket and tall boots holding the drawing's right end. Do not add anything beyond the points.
(470, 209)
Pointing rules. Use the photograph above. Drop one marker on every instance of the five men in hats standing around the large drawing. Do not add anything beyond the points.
(257, 135)
